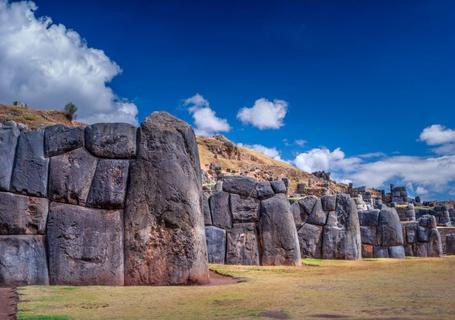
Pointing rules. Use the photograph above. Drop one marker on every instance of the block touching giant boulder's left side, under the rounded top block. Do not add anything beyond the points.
(109, 184)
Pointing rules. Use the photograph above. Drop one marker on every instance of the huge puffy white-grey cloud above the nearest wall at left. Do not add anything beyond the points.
(47, 65)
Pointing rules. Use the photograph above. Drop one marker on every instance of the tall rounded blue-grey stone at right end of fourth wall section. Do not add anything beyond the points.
(389, 227)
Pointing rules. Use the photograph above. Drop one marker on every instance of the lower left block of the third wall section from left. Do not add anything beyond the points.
(310, 240)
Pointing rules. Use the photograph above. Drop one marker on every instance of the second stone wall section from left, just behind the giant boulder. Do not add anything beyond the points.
(250, 222)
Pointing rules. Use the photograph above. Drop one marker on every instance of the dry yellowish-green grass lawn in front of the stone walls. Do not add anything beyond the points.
(320, 289)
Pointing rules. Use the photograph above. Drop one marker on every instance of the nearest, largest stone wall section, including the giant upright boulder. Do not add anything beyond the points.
(101, 205)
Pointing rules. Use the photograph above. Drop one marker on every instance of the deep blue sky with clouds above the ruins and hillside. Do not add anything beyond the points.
(362, 76)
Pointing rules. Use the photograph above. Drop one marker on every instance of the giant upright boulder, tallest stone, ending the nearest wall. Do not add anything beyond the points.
(164, 225)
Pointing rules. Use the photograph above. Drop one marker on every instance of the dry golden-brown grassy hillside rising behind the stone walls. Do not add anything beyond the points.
(219, 156)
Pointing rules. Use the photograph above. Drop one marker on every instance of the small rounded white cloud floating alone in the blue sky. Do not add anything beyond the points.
(264, 114)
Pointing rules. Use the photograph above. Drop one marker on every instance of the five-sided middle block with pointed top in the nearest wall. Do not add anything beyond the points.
(71, 176)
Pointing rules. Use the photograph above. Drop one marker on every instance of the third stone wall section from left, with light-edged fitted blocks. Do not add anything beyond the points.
(328, 227)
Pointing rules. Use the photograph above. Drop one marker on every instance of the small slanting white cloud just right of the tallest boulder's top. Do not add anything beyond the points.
(205, 120)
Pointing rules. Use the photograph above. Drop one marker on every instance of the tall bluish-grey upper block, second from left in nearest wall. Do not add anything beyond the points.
(30, 167)
